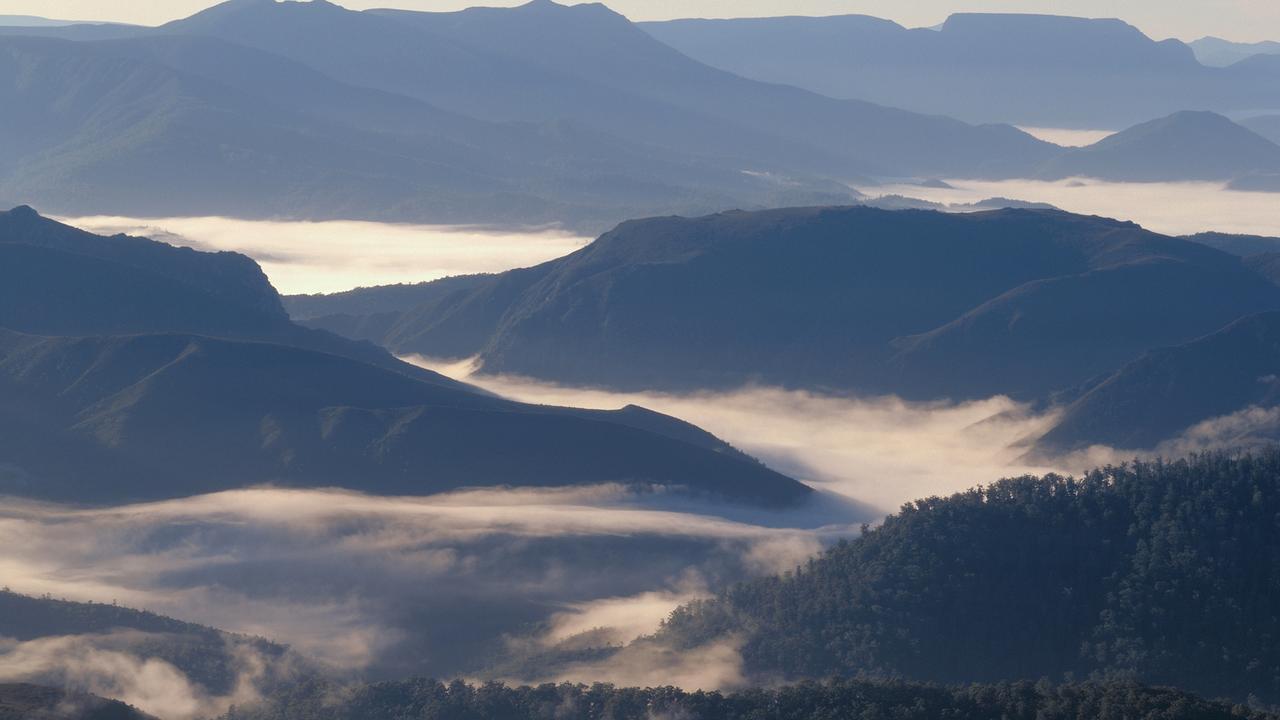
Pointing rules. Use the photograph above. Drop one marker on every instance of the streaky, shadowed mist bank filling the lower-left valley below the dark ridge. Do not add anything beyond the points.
(396, 585)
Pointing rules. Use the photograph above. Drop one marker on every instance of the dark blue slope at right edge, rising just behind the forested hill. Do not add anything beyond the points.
(1223, 388)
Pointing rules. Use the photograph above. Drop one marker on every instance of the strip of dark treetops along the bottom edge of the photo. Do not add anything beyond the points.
(840, 699)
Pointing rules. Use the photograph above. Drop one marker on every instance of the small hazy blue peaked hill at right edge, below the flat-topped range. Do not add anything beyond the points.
(1188, 147)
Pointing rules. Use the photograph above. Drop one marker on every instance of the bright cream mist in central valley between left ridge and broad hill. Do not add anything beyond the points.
(879, 452)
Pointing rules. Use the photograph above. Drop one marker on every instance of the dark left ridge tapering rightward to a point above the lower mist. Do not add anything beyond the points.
(149, 417)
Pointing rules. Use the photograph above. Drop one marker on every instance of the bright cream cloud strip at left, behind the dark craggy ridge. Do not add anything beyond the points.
(336, 256)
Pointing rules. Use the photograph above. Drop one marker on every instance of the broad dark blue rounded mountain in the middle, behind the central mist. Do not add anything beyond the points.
(853, 299)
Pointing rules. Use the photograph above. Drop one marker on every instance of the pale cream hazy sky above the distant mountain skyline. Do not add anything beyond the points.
(1188, 20)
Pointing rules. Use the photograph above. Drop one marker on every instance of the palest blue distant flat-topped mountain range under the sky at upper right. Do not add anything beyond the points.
(1030, 70)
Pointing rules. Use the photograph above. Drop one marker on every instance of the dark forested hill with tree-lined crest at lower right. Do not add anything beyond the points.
(1167, 573)
